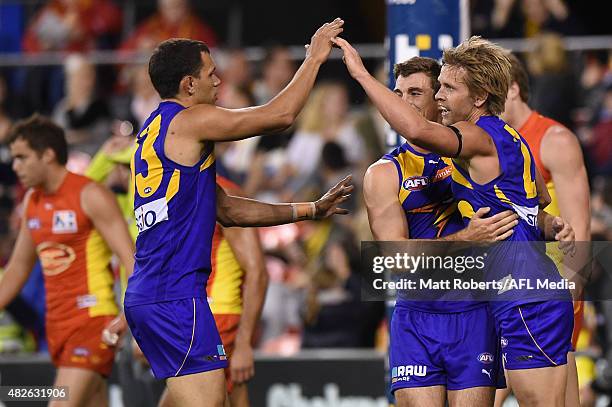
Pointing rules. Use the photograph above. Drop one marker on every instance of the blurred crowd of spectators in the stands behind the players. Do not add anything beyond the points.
(314, 296)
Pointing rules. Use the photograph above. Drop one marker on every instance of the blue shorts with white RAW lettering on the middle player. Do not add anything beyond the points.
(456, 350)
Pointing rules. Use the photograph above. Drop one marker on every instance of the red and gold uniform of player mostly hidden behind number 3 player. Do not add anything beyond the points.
(224, 287)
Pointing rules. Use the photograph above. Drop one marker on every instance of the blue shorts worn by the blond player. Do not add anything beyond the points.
(536, 335)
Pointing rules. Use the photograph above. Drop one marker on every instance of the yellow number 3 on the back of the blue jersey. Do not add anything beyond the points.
(147, 185)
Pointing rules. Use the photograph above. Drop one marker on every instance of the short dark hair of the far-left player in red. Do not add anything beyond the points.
(41, 133)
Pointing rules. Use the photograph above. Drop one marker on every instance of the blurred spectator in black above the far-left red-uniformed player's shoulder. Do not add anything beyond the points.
(84, 116)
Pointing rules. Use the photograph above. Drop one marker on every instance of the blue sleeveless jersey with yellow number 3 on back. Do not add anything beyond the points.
(175, 208)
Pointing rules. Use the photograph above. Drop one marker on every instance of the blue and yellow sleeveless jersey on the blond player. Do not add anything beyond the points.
(513, 189)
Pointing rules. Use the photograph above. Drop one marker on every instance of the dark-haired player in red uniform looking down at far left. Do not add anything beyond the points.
(73, 225)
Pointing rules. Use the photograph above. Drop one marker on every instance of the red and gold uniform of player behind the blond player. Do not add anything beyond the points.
(533, 132)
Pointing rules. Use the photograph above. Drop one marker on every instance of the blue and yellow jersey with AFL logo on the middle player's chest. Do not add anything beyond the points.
(431, 211)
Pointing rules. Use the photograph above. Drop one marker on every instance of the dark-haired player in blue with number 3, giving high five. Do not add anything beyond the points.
(177, 204)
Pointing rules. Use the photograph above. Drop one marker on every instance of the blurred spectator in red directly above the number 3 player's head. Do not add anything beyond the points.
(173, 18)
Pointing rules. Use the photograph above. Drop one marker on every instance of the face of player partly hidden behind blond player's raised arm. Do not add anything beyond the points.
(416, 90)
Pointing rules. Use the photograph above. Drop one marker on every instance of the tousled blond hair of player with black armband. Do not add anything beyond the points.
(488, 70)
